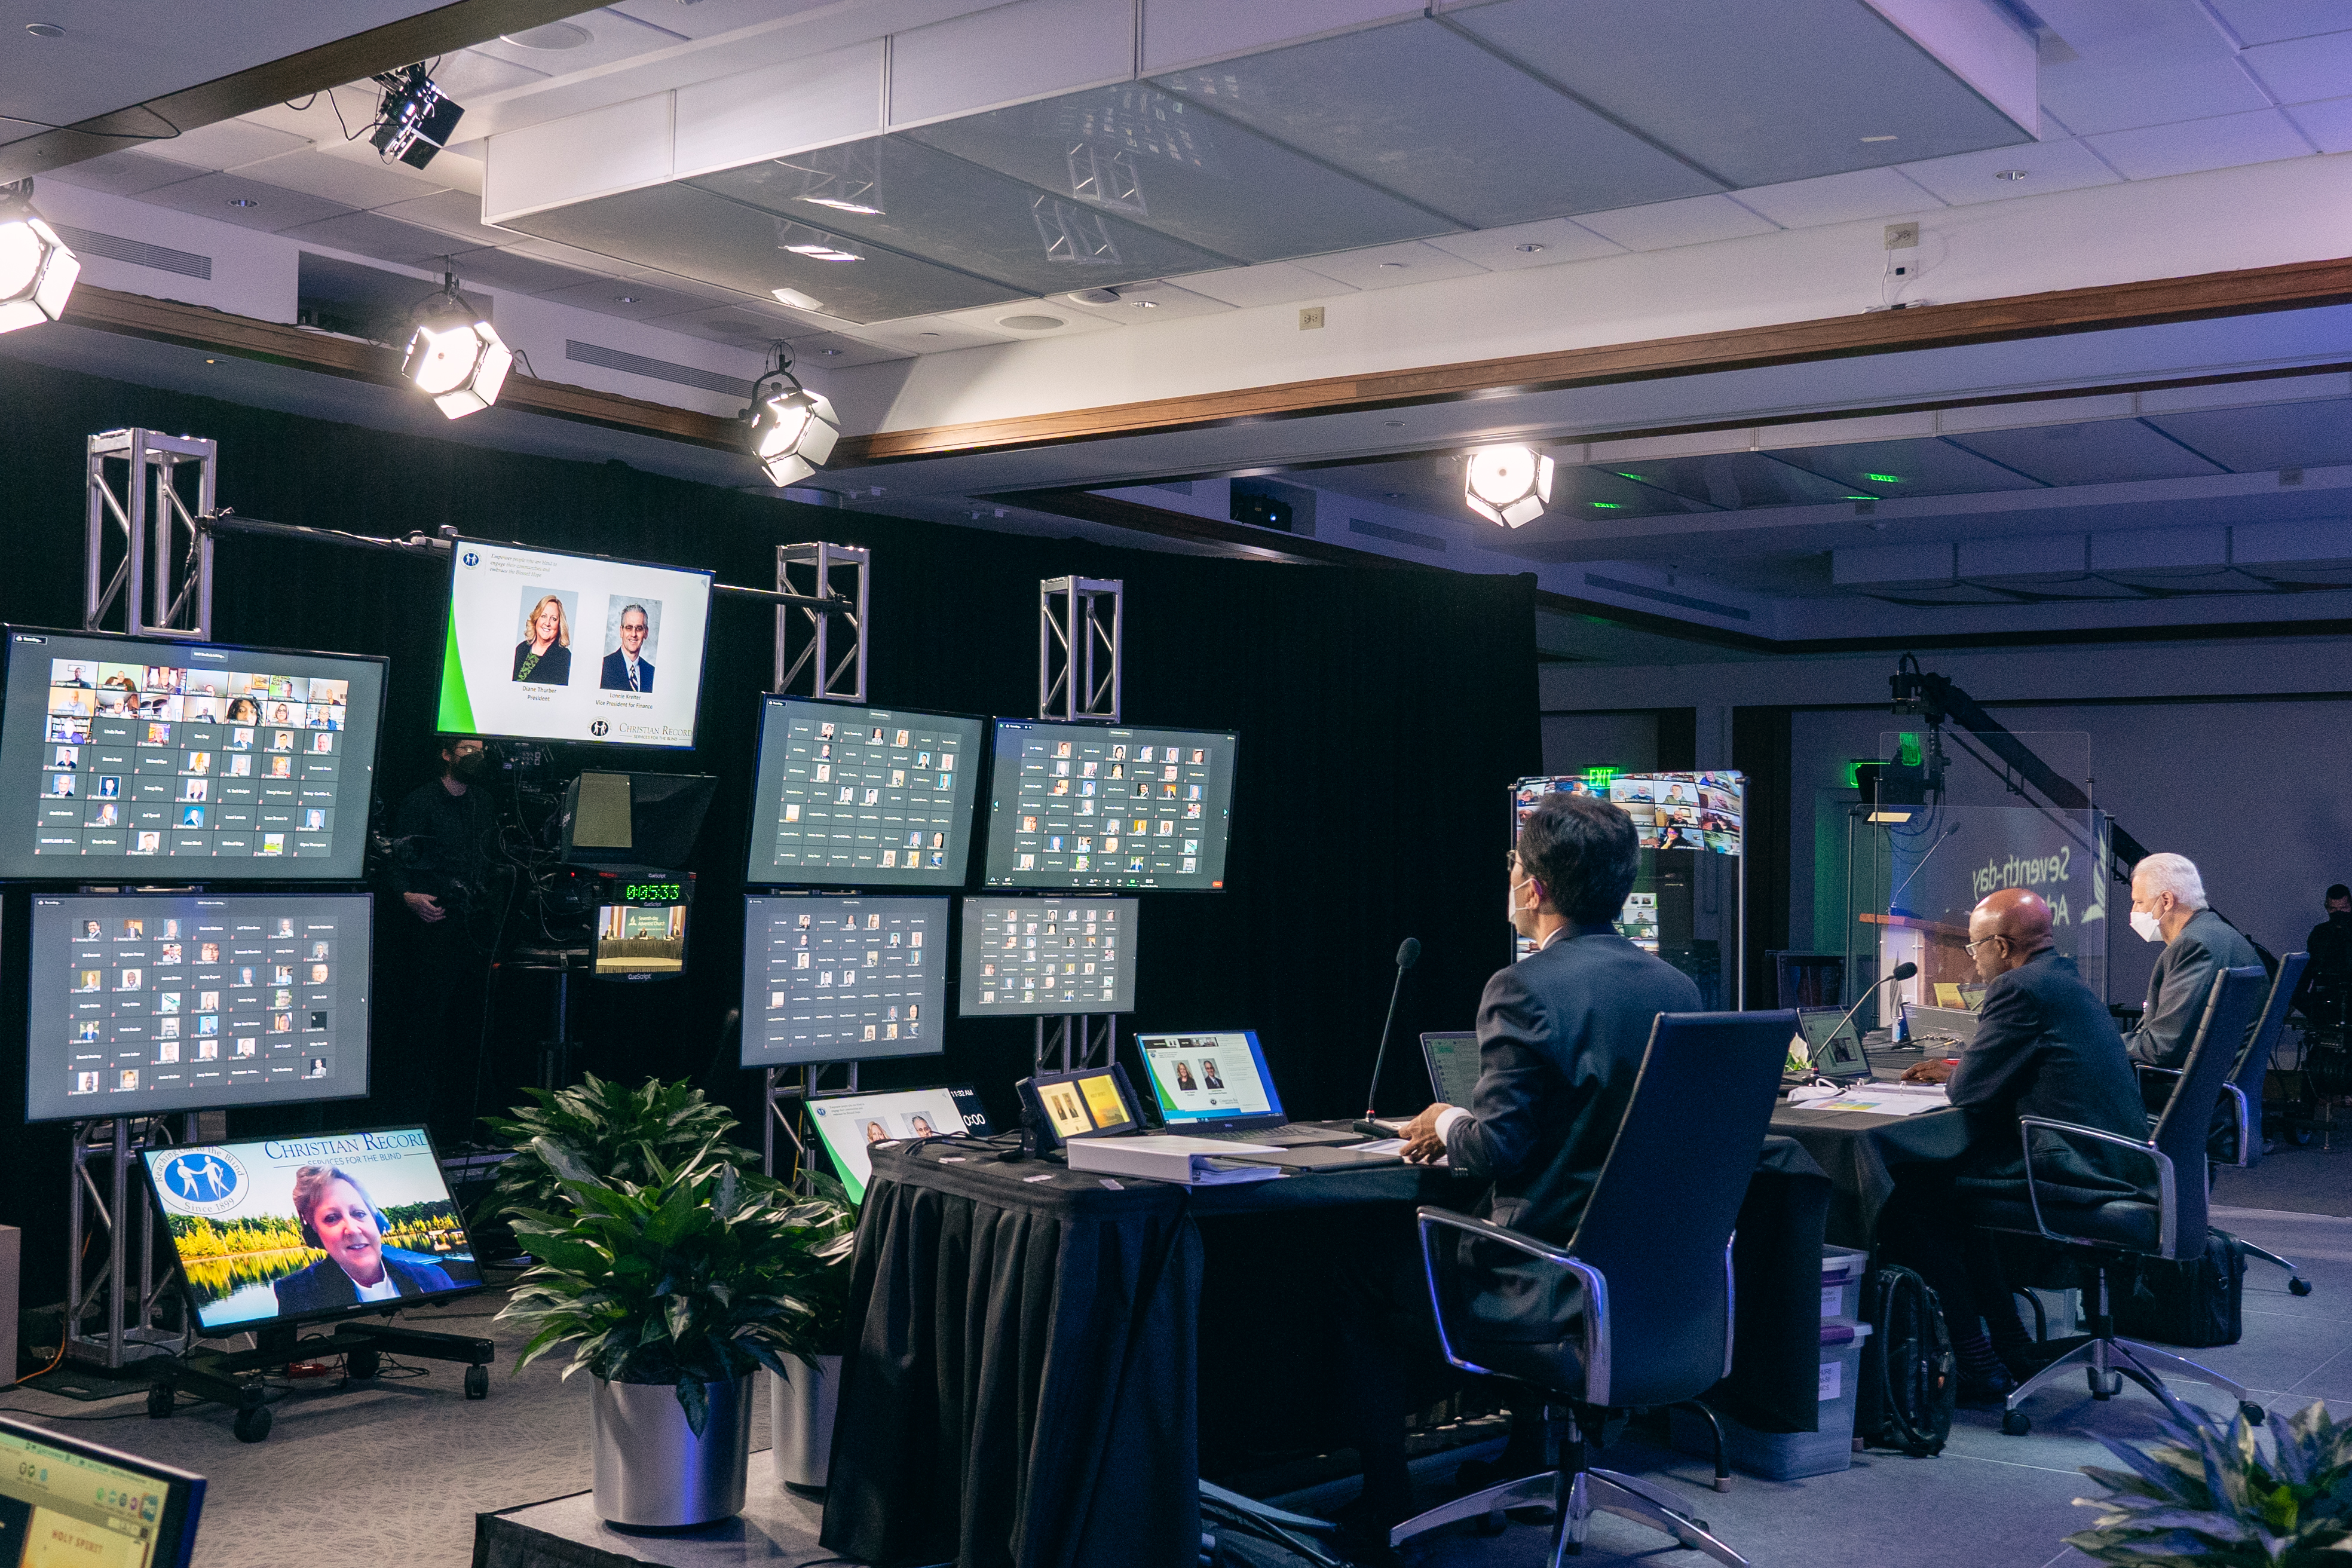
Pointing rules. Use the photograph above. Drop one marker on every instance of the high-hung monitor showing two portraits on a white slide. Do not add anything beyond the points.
(573, 648)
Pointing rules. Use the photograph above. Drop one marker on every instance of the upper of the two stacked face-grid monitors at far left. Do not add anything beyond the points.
(123, 753)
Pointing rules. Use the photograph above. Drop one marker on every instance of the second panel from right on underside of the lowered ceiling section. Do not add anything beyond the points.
(1389, 105)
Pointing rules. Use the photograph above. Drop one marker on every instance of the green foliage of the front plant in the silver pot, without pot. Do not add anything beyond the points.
(690, 1278)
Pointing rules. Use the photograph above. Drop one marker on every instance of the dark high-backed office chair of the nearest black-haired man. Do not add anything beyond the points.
(1641, 1294)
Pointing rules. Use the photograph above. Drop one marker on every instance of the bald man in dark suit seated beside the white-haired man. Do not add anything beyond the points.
(2045, 1047)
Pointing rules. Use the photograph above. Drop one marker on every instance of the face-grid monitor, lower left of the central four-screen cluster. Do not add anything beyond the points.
(843, 979)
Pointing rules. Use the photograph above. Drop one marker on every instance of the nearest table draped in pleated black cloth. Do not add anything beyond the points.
(1031, 1351)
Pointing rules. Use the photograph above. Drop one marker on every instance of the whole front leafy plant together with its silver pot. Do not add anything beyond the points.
(671, 1294)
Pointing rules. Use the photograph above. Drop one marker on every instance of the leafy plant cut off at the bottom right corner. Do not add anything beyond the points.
(2214, 1499)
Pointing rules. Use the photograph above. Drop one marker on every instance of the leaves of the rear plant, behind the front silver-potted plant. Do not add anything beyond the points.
(610, 1132)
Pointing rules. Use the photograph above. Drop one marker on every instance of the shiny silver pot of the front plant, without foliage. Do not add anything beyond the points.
(650, 1468)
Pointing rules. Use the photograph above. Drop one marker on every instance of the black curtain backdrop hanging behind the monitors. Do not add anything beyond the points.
(1382, 716)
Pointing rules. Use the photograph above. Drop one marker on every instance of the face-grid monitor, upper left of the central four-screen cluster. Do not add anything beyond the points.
(864, 796)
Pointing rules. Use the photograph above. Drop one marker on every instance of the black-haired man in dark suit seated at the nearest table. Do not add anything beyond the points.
(1561, 1045)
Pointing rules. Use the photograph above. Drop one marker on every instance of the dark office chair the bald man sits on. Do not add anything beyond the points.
(2123, 1231)
